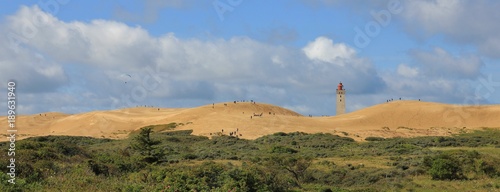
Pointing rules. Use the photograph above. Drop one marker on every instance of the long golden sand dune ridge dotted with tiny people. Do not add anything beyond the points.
(398, 118)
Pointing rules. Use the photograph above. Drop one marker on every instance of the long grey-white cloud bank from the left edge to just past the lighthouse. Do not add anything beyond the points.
(85, 61)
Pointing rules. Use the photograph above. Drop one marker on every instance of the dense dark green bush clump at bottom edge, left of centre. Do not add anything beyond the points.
(211, 176)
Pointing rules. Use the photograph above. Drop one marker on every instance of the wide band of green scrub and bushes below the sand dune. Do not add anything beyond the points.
(151, 160)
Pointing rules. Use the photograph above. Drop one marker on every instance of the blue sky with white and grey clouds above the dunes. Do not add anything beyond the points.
(78, 56)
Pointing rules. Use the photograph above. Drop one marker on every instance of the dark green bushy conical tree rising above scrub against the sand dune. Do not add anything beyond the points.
(147, 146)
